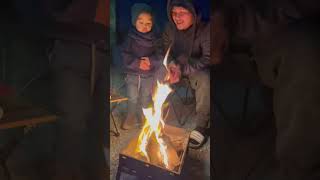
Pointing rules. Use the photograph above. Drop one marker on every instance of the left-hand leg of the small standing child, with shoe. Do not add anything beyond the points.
(133, 94)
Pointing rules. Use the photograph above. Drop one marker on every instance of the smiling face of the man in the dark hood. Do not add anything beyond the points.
(182, 17)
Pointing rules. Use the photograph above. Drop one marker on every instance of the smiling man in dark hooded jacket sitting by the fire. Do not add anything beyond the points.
(189, 39)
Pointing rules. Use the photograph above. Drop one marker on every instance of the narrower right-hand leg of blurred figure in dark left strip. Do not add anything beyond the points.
(98, 125)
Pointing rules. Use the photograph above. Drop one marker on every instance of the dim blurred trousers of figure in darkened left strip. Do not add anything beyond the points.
(83, 116)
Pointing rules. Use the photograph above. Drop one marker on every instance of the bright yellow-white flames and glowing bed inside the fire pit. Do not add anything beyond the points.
(152, 145)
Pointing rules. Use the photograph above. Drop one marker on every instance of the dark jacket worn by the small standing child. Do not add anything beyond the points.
(139, 45)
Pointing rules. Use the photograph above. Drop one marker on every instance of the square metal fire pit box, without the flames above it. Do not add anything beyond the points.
(136, 166)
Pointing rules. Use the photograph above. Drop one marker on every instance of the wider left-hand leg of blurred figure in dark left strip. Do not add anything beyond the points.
(71, 68)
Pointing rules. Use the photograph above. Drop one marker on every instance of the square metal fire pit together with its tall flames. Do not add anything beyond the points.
(158, 151)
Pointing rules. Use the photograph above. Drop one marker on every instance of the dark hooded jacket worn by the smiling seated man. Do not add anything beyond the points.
(190, 48)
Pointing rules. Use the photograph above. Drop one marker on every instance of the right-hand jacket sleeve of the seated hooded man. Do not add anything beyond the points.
(196, 64)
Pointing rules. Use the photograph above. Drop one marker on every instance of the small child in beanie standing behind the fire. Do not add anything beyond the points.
(140, 62)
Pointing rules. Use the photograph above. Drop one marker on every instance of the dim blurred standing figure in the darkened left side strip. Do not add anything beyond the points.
(80, 76)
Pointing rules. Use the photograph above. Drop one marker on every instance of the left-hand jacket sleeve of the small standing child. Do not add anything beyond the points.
(130, 62)
